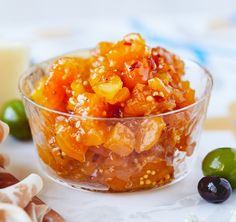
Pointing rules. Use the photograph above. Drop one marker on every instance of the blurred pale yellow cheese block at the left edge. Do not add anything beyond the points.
(14, 60)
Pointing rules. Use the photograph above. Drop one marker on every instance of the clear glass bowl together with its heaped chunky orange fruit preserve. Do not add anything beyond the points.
(121, 117)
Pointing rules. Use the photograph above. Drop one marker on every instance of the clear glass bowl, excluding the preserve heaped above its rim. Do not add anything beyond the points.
(169, 160)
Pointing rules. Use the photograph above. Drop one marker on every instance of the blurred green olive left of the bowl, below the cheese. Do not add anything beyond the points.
(13, 114)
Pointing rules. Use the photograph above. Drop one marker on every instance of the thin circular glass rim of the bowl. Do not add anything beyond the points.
(205, 95)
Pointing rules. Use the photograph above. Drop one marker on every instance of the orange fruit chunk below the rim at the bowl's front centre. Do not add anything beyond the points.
(121, 140)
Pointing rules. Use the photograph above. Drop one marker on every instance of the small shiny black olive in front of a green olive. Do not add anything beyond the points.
(214, 189)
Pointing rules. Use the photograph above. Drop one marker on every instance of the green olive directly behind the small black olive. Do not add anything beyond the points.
(221, 162)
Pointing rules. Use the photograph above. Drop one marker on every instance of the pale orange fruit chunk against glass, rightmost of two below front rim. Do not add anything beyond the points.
(149, 133)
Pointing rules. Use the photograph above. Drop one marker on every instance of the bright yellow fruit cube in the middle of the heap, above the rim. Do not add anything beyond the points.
(109, 88)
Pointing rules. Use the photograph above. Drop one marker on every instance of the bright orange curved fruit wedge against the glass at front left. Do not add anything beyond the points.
(66, 138)
